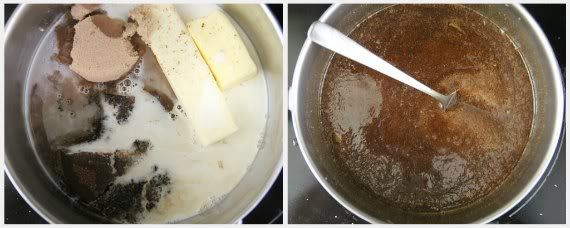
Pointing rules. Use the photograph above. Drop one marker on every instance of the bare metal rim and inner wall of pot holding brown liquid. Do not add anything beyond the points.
(547, 123)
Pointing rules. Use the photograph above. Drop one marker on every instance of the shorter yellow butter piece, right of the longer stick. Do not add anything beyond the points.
(223, 49)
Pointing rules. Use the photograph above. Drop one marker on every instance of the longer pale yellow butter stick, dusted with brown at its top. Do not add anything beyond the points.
(162, 29)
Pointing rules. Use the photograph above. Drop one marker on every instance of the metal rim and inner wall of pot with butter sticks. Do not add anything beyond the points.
(24, 31)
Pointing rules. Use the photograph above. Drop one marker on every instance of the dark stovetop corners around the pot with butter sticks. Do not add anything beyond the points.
(269, 210)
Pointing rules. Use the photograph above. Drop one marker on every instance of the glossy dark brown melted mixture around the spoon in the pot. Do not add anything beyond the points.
(396, 141)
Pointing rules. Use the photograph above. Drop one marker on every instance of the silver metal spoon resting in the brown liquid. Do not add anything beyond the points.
(334, 40)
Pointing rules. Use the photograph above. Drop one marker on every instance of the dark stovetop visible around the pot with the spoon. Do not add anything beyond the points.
(310, 203)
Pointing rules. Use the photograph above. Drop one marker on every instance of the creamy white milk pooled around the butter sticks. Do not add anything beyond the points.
(200, 176)
